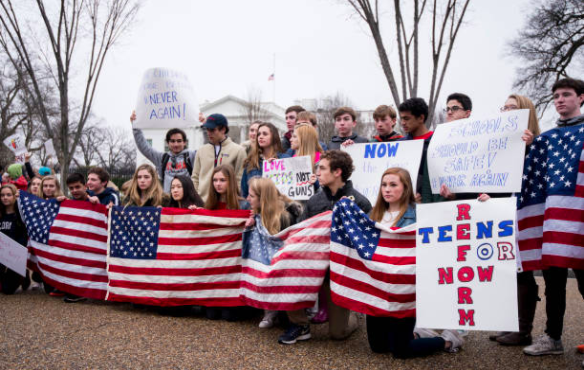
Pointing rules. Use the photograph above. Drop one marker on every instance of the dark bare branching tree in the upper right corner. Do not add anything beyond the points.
(549, 48)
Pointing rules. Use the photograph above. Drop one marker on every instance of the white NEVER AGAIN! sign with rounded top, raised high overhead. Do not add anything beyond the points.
(166, 99)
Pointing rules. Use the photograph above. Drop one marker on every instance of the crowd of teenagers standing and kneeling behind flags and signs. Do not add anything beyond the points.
(225, 175)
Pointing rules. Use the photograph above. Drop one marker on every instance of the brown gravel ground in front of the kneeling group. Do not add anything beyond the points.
(38, 331)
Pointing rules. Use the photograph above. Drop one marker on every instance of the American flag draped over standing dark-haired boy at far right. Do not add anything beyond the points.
(550, 212)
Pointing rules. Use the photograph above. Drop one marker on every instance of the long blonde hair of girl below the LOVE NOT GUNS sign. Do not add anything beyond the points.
(272, 204)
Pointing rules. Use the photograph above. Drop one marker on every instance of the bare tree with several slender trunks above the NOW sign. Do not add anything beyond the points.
(403, 76)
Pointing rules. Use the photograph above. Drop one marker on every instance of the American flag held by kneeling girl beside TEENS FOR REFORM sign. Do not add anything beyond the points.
(373, 268)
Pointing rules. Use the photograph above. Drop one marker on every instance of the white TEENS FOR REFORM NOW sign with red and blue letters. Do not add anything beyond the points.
(466, 265)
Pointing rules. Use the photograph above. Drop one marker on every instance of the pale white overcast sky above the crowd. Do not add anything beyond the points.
(228, 47)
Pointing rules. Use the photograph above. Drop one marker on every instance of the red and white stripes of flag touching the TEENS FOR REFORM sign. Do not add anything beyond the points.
(383, 286)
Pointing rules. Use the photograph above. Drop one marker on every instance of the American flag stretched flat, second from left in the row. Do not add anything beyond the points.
(173, 257)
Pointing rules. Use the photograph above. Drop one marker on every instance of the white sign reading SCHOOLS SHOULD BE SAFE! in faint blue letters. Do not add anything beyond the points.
(479, 154)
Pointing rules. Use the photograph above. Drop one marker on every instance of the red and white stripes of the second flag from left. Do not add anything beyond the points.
(198, 262)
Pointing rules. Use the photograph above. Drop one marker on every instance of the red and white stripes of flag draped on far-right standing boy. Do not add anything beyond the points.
(552, 233)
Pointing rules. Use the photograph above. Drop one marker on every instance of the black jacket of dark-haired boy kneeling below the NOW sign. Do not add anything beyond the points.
(324, 201)
